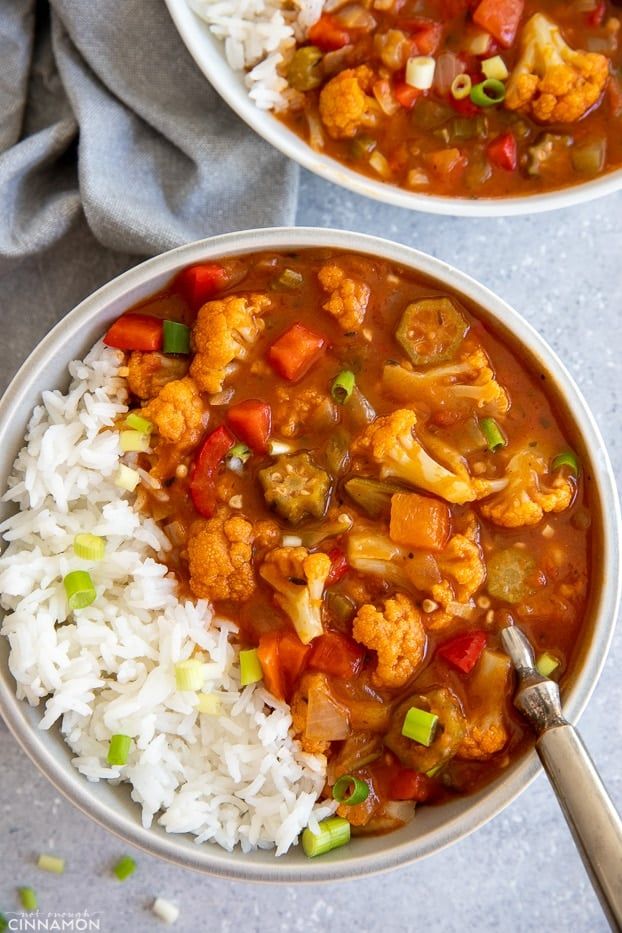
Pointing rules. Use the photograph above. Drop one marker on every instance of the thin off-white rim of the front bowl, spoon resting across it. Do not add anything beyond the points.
(209, 859)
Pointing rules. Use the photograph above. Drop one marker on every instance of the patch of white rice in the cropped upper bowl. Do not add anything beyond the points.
(259, 37)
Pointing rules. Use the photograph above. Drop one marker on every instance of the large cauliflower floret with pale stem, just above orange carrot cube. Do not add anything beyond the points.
(392, 443)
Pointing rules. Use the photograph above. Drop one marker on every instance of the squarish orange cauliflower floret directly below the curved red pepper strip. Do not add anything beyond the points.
(219, 557)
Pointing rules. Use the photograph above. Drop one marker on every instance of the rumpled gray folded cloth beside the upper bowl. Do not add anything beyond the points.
(104, 114)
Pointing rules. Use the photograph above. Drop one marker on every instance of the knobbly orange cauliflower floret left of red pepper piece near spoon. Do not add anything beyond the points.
(397, 636)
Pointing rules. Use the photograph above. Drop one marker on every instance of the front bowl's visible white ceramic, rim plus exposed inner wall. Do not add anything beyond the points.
(433, 827)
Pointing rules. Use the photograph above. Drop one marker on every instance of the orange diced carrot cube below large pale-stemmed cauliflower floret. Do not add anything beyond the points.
(419, 521)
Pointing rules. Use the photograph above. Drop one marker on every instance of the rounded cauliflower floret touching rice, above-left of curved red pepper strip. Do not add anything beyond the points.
(177, 412)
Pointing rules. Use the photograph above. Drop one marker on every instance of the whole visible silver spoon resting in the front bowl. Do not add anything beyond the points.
(590, 814)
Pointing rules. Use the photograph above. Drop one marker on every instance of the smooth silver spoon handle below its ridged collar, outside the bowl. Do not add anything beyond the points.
(589, 812)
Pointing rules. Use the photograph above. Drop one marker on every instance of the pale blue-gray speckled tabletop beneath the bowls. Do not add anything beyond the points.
(563, 271)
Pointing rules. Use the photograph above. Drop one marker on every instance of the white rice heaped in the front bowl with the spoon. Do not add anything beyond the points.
(233, 778)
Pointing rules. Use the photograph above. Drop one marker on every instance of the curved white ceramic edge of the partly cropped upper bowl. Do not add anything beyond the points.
(209, 55)
